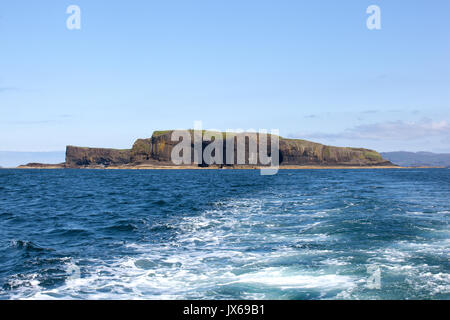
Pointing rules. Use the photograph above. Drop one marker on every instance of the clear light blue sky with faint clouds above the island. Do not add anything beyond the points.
(311, 69)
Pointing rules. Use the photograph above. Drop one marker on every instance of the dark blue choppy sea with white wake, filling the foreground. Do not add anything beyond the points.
(306, 234)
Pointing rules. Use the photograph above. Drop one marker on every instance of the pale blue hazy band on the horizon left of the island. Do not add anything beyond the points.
(11, 159)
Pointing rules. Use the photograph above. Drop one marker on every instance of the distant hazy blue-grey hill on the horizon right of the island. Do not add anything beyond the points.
(418, 159)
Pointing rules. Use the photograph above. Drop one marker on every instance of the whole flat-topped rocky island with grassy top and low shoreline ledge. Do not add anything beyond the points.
(155, 153)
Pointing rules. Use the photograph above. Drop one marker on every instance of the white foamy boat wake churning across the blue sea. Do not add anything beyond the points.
(216, 249)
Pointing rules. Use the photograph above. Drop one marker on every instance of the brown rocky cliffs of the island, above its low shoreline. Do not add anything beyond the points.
(156, 151)
